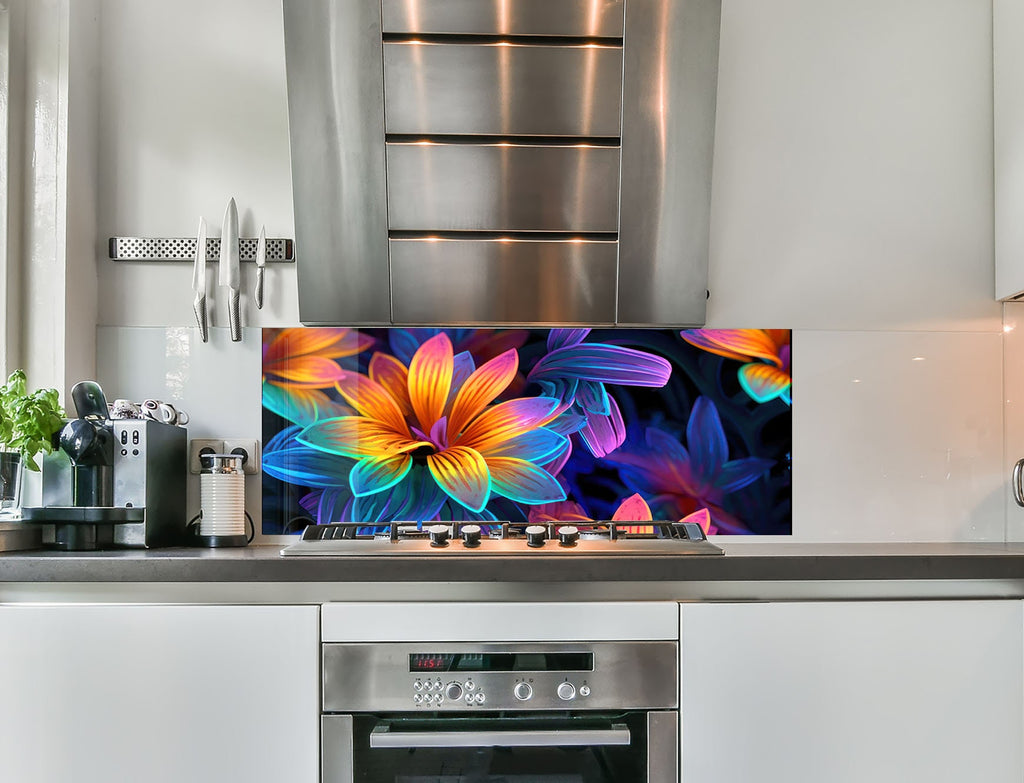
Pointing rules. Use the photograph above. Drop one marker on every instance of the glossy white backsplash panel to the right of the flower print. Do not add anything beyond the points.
(898, 437)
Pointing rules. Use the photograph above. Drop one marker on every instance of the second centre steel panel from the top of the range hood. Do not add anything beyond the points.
(502, 90)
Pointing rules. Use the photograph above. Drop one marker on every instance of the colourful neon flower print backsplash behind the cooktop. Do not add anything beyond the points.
(528, 425)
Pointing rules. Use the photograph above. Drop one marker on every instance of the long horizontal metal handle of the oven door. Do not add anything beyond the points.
(618, 734)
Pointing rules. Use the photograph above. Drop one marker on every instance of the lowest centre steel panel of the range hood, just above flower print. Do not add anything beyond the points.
(514, 282)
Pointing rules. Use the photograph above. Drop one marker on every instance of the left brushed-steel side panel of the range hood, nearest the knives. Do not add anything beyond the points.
(336, 128)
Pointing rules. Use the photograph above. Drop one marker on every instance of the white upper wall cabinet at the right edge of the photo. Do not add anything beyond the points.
(1008, 85)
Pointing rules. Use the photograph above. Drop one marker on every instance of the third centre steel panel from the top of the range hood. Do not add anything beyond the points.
(502, 188)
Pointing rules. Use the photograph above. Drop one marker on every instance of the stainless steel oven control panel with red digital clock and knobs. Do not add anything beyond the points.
(451, 677)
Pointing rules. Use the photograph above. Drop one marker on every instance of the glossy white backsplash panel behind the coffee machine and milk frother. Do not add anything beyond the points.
(217, 383)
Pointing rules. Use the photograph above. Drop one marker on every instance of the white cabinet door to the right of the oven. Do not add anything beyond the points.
(884, 692)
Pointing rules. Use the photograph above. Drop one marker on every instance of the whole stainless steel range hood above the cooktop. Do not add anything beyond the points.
(479, 162)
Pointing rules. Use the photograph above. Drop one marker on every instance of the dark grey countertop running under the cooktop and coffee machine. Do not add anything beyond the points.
(744, 562)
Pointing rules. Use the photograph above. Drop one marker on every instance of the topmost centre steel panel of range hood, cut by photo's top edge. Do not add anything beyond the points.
(523, 18)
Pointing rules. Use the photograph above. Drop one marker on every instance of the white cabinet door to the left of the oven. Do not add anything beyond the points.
(161, 694)
